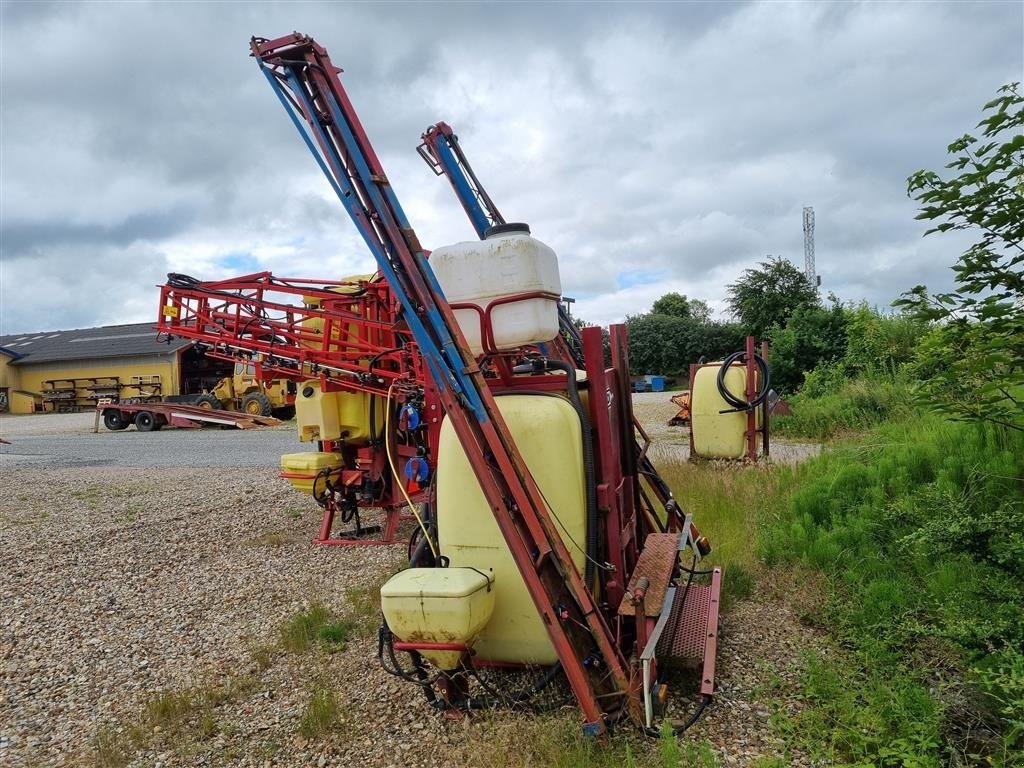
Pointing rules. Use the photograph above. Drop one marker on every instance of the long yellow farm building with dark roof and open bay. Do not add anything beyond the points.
(70, 370)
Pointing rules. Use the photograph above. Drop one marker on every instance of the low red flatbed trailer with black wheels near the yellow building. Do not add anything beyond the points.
(150, 417)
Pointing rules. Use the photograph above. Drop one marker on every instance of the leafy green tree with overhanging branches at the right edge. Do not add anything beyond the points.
(972, 363)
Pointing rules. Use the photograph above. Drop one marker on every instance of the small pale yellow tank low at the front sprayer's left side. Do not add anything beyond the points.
(439, 606)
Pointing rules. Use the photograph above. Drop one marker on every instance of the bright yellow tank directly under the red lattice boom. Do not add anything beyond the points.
(335, 416)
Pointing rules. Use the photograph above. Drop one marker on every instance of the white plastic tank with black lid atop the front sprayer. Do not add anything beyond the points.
(507, 263)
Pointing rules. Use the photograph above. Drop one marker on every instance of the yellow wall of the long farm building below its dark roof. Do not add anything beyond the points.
(32, 378)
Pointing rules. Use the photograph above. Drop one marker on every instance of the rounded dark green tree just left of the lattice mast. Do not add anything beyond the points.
(769, 296)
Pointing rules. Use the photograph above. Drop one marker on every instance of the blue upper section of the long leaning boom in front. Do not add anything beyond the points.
(440, 350)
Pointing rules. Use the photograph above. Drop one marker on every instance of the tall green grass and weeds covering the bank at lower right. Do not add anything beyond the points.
(910, 536)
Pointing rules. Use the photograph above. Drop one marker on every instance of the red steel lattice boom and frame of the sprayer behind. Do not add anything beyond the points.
(347, 334)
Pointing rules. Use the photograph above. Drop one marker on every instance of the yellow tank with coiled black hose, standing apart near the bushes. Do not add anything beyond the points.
(718, 436)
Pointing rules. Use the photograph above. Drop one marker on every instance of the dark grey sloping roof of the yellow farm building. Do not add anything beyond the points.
(87, 344)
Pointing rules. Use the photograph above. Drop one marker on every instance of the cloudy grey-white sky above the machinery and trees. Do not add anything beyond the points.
(655, 147)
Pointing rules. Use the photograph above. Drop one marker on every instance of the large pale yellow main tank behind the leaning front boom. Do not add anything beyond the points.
(548, 435)
